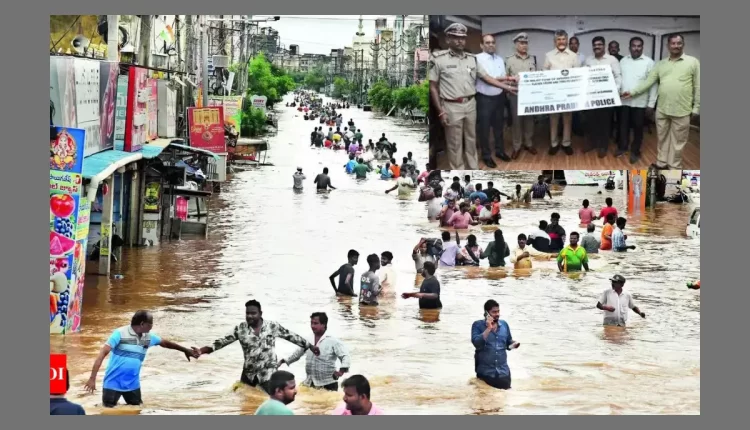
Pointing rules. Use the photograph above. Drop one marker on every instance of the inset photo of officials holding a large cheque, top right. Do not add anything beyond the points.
(564, 92)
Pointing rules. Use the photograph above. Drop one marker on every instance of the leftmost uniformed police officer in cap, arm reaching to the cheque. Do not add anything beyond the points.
(453, 74)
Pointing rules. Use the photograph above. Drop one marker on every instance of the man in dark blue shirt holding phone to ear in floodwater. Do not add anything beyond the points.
(492, 339)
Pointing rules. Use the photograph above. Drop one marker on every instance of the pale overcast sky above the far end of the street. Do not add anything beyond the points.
(318, 34)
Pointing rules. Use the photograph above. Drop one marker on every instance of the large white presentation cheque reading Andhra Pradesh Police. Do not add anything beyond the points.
(569, 90)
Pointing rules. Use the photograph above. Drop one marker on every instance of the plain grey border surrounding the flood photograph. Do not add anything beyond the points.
(728, 153)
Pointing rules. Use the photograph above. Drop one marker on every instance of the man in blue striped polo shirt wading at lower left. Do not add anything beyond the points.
(128, 346)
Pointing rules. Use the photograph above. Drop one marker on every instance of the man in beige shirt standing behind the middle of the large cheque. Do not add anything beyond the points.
(561, 58)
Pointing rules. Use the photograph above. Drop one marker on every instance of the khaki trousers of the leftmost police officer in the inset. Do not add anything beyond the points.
(461, 134)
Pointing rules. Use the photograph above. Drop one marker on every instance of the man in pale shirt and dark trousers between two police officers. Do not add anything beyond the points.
(491, 103)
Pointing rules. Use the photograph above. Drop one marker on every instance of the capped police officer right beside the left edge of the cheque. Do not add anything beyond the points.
(523, 126)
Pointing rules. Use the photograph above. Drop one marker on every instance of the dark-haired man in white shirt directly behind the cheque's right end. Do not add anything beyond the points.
(599, 121)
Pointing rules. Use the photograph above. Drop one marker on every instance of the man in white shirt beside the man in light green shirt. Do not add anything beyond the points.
(635, 69)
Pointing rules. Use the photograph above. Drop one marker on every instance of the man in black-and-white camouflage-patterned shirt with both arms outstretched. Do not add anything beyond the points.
(258, 340)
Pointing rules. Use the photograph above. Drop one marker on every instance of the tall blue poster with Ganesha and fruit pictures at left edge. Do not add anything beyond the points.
(66, 163)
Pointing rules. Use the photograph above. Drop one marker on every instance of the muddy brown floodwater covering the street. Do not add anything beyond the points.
(278, 247)
